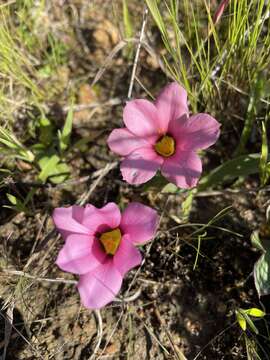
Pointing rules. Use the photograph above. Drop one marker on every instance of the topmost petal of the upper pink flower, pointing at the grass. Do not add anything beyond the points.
(171, 103)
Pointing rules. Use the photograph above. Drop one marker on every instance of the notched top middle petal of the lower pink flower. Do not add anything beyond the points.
(99, 220)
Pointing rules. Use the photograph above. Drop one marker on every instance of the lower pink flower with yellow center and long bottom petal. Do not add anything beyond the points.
(100, 246)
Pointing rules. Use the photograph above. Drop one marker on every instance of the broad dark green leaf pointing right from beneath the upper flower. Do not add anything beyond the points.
(241, 166)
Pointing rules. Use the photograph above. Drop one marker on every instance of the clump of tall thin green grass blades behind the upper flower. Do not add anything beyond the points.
(209, 59)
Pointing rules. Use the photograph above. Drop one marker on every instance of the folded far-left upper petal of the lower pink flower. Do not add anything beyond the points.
(69, 220)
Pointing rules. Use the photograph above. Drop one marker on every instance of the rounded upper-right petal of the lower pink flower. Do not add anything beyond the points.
(139, 222)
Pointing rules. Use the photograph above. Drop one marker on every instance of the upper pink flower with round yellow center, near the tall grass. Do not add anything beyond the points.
(162, 136)
